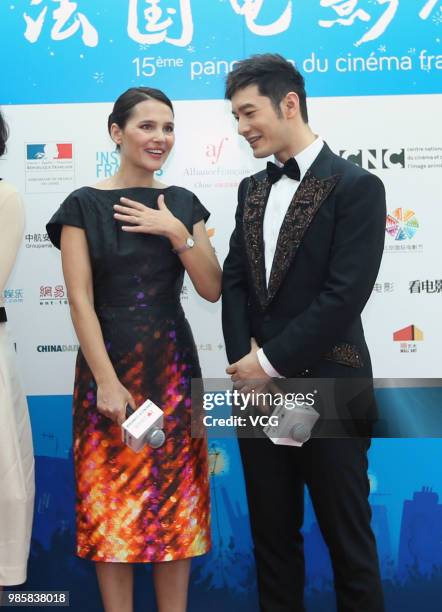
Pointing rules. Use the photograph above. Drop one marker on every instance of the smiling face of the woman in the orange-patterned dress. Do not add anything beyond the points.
(148, 136)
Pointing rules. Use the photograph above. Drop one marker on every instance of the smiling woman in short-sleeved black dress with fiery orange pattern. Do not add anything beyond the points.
(123, 263)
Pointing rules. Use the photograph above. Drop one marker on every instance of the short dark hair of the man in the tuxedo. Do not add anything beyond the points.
(273, 75)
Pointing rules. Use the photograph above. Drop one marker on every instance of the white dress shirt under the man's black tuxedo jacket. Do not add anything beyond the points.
(280, 197)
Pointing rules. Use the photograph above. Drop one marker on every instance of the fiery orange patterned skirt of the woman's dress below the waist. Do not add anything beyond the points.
(153, 505)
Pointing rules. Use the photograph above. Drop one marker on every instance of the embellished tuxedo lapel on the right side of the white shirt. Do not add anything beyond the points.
(306, 202)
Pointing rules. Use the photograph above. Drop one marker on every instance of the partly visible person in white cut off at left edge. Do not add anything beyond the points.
(16, 453)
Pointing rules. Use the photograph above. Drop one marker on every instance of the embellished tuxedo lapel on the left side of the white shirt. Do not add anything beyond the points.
(254, 208)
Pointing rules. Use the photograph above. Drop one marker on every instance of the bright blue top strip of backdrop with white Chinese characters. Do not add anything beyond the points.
(63, 51)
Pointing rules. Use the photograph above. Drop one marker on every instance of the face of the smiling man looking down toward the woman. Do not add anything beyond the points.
(258, 121)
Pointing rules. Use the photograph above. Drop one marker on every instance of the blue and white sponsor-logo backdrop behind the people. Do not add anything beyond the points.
(373, 71)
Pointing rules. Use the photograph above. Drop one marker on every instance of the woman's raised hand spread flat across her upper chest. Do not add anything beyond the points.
(146, 220)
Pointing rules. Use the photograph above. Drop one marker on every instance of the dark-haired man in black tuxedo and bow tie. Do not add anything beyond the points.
(302, 263)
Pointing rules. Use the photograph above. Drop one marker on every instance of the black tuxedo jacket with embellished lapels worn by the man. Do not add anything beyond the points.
(326, 262)
